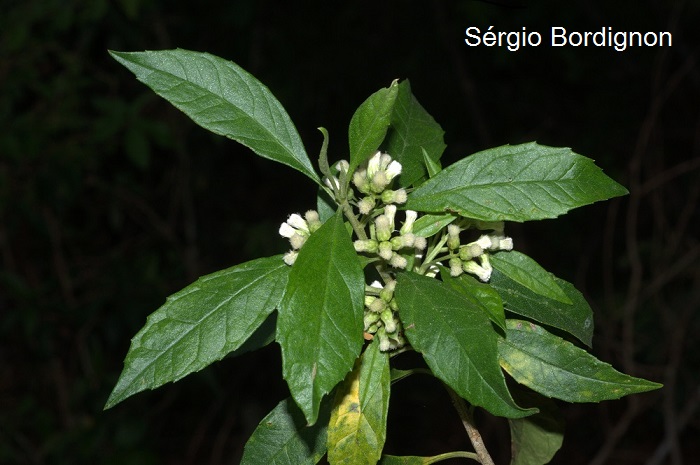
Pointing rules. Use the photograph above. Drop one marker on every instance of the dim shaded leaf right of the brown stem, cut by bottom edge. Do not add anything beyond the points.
(535, 439)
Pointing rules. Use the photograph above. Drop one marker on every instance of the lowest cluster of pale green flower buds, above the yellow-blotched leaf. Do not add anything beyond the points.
(381, 318)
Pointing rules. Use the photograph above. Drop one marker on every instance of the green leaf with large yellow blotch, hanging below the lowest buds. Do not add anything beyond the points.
(357, 428)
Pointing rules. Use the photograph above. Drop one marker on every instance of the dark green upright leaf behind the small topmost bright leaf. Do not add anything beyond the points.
(412, 132)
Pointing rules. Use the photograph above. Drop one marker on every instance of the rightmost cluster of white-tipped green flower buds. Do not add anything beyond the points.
(464, 259)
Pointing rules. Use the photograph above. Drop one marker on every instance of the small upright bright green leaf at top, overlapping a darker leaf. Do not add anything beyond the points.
(370, 123)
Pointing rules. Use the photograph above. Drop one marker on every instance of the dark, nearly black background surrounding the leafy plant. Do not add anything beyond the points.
(110, 200)
